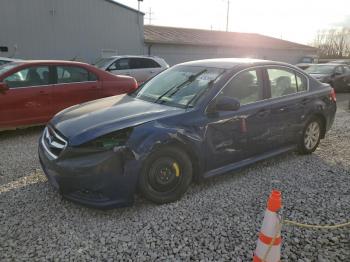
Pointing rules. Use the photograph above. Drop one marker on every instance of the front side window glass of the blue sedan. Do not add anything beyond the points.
(246, 87)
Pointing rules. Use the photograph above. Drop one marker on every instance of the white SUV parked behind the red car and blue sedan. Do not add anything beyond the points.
(140, 67)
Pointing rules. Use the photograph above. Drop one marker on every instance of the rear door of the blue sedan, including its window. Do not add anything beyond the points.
(289, 102)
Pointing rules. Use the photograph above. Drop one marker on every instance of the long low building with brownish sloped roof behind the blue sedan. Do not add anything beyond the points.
(177, 45)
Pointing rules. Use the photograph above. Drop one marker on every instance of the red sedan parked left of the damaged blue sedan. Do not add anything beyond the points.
(32, 92)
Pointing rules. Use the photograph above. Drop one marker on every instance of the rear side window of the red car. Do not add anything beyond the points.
(73, 74)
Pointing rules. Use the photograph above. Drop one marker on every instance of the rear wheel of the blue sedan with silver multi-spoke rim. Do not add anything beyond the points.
(306, 144)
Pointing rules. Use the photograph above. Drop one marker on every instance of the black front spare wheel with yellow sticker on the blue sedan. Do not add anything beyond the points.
(166, 175)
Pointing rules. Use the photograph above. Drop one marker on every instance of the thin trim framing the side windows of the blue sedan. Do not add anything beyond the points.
(263, 67)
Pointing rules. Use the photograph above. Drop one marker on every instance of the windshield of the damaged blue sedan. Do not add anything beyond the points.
(180, 86)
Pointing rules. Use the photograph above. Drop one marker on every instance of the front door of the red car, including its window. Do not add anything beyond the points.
(29, 98)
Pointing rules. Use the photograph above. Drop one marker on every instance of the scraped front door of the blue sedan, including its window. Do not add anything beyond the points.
(232, 136)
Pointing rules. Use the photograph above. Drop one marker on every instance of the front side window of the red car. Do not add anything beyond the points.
(32, 76)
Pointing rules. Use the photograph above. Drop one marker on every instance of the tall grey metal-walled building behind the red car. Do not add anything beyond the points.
(67, 29)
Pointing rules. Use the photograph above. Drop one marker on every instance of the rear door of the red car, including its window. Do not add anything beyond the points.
(74, 85)
